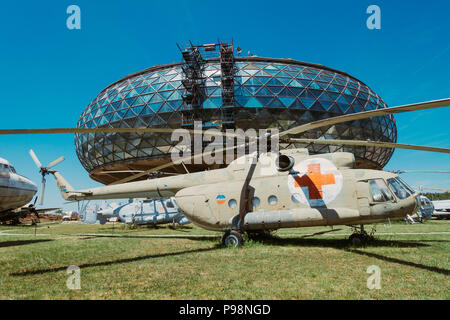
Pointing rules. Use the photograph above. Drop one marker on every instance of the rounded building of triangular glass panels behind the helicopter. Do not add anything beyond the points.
(264, 93)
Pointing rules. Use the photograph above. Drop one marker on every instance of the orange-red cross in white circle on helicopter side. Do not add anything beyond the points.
(314, 180)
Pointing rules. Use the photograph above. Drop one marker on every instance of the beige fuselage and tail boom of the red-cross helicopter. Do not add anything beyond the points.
(271, 192)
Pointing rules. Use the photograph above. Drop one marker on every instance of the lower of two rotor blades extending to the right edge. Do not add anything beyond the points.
(367, 144)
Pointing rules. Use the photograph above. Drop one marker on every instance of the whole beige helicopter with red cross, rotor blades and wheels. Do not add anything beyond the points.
(279, 189)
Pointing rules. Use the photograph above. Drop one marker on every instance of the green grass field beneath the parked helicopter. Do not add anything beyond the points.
(291, 265)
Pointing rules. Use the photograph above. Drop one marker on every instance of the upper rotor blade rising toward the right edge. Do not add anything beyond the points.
(367, 114)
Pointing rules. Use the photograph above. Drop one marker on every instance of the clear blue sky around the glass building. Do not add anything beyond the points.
(50, 73)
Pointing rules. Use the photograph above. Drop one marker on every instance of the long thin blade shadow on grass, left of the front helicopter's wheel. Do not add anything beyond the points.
(112, 262)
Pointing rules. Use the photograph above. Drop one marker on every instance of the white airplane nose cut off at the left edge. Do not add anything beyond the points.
(16, 192)
